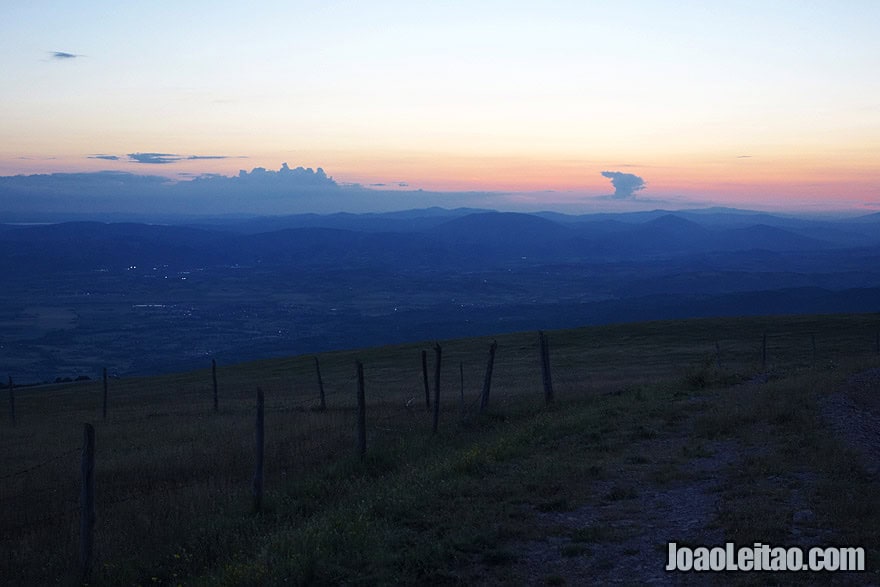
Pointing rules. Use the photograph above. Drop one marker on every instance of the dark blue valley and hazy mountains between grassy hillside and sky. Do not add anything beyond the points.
(150, 297)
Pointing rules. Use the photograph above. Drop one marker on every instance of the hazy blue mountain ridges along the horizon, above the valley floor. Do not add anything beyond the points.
(459, 236)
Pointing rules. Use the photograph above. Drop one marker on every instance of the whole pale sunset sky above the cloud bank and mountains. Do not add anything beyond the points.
(753, 104)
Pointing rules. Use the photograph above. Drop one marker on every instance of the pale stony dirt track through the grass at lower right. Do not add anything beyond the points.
(620, 536)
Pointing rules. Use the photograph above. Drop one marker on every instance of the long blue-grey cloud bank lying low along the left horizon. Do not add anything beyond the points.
(119, 195)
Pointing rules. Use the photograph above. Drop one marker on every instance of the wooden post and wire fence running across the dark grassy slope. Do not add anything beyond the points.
(163, 452)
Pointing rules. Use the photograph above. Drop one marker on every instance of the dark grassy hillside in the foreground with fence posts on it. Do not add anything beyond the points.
(653, 437)
